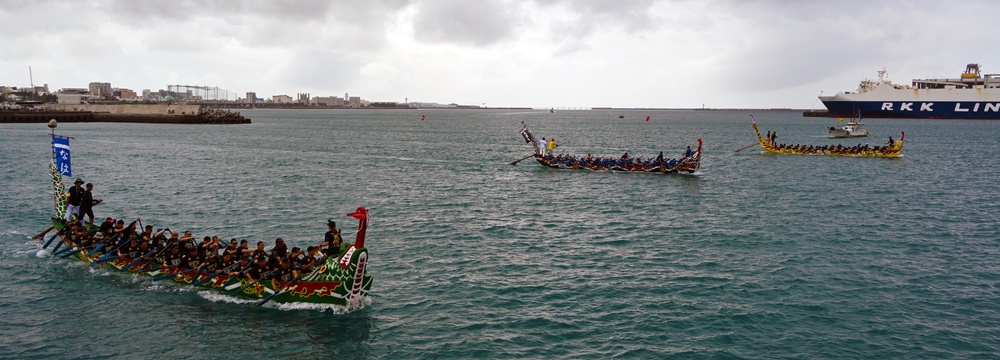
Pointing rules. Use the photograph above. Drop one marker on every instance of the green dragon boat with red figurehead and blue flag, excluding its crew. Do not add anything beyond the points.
(340, 281)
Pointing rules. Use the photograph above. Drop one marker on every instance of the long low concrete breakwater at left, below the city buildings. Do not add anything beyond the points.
(134, 113)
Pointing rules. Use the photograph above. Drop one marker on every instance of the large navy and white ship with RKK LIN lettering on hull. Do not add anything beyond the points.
(971, 96)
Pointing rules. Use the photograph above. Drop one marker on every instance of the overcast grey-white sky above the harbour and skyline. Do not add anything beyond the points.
(541, 53)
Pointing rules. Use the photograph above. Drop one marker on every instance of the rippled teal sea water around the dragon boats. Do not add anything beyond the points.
(758, 256)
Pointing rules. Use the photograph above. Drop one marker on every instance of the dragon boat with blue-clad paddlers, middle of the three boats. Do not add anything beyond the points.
(688, 164)
